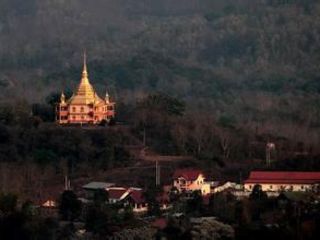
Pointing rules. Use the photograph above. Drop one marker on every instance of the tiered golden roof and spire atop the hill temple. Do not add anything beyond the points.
(85, 94)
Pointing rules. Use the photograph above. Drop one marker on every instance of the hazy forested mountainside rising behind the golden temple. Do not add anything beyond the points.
(252, 63)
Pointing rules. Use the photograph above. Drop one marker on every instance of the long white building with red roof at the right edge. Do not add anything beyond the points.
(283, 181)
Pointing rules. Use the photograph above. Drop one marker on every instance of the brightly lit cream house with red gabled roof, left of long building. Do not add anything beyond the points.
(189, 180)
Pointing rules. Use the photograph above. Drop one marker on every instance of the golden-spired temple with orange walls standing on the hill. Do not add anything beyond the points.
(85, 106)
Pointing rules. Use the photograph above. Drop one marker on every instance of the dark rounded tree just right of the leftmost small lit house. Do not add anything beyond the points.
(69, 206)
